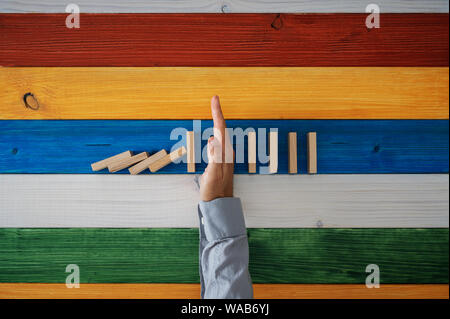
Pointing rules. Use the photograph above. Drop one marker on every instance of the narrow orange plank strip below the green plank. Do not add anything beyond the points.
(192, 291)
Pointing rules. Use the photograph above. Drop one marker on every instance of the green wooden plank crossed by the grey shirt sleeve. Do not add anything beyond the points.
(328, 256)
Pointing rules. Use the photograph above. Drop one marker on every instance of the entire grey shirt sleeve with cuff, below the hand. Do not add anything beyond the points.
(223, 250)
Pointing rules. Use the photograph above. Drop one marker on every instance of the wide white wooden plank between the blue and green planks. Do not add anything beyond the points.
(268, 200)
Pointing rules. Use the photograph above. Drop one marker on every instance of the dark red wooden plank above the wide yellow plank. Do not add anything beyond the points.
(223, 40)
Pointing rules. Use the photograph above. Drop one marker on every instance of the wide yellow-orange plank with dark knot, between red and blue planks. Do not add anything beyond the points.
(246, 93)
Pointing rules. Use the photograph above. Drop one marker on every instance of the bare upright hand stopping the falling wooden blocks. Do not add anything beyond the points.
(217, 180)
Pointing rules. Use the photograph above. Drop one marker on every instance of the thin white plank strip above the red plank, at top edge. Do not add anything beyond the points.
(217, 6)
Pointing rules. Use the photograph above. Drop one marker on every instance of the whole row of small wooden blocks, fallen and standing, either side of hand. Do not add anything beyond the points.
(155, 162)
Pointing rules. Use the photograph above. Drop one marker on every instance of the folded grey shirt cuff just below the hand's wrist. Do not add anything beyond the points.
(222, 218)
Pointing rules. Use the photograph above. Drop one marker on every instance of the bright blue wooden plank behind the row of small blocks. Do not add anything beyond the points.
(344, 146)
